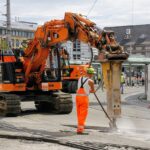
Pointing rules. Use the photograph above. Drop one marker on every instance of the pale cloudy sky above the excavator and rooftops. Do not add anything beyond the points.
(104, 13)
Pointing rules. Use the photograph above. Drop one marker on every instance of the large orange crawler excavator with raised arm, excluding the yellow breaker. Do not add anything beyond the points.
(27, 77)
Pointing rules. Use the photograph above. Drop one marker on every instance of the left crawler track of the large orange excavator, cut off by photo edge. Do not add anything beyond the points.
(9, 105)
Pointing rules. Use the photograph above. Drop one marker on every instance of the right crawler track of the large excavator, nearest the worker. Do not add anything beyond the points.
(58, 103)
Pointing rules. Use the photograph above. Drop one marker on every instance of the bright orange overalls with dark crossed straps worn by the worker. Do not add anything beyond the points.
(82, 103)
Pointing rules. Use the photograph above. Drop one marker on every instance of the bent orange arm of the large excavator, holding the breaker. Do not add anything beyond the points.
(72, 27)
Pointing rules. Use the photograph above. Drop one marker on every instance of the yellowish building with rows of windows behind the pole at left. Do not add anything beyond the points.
(20, 31)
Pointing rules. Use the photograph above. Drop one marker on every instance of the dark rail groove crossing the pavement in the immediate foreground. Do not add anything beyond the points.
(78, 145)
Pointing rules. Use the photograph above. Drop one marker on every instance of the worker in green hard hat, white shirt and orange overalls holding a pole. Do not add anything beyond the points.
(85, 87)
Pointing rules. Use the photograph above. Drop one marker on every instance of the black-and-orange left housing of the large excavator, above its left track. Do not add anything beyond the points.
(11, 72)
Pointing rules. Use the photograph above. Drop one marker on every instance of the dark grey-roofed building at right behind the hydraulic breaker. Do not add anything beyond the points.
(135, 39)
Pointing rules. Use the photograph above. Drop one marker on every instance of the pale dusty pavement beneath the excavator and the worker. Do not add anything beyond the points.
(133, 126)
